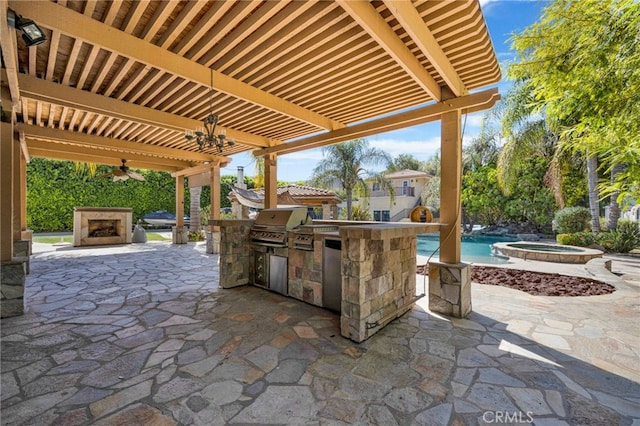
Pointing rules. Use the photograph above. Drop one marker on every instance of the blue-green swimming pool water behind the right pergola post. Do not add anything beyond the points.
(473, 249)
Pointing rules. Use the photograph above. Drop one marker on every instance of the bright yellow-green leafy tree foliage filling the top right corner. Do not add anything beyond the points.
(582, 63)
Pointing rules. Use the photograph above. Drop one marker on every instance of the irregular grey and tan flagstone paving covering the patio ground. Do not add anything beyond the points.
(141, 335)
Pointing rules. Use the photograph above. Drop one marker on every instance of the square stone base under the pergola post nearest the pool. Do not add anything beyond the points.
(450, 289)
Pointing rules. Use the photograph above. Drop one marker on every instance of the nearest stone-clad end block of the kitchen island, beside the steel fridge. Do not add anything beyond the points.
(378, 277)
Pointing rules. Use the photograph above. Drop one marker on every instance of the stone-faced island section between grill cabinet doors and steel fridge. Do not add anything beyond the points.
(305, 272)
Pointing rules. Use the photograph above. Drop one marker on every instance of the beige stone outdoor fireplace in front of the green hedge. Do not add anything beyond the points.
(101, 226)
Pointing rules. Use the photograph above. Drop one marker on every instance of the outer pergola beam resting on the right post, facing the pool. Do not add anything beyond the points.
(466, 104)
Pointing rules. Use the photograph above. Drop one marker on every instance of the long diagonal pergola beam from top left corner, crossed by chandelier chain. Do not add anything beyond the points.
(95, 33)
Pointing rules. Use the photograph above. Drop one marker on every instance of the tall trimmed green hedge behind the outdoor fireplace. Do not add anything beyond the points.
(54, 188)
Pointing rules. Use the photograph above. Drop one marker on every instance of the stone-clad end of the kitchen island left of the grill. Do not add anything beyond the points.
(236, 257)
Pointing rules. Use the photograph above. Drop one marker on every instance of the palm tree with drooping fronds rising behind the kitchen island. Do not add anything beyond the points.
(343, 167)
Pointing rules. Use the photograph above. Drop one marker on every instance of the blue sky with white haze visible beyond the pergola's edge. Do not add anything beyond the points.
(503, 18)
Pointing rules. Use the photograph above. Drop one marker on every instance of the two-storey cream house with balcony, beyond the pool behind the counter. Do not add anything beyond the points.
(408, 186)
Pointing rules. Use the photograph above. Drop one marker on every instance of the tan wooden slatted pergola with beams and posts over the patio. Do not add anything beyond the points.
(125, 79)
